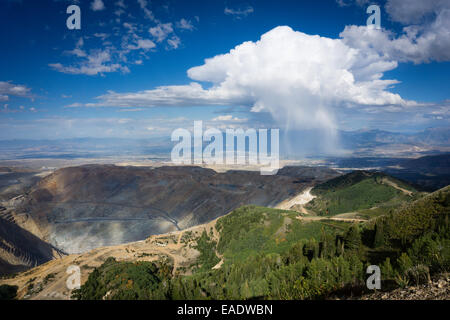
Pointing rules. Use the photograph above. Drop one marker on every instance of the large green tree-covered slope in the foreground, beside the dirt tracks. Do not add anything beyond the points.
(269, 254)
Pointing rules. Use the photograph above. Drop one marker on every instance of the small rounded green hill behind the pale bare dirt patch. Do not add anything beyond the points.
(358, 191)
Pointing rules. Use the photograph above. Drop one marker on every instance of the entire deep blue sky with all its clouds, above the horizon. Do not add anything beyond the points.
(137, 68)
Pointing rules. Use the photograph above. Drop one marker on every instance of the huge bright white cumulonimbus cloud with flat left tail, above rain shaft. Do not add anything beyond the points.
(297, 77)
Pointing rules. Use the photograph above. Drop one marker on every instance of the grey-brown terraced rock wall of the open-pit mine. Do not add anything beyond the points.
(80, 208)
